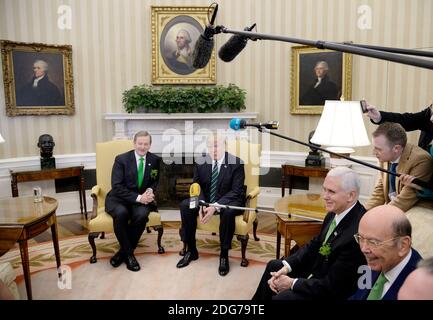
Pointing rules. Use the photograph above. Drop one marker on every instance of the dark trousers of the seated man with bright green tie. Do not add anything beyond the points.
(129, 223)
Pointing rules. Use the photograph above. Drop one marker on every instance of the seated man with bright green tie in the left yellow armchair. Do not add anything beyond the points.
(134, 180)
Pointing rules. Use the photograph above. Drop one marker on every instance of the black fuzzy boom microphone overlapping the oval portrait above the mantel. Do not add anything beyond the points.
(204, 45)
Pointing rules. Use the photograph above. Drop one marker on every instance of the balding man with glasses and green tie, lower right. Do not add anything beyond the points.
(385, 239)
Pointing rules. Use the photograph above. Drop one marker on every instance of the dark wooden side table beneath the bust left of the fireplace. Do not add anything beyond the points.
(50, 174)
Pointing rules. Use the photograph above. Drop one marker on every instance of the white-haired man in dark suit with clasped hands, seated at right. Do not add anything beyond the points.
(326, 267)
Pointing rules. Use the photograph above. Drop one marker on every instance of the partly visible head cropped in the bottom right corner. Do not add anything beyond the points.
(419, 284)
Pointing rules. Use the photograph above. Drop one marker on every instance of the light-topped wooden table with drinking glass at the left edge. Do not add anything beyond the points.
(22, 219)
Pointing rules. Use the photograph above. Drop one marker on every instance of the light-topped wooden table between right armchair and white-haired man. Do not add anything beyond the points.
(298, 229)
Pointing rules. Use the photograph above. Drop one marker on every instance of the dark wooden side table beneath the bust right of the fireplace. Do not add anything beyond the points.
(290, 170)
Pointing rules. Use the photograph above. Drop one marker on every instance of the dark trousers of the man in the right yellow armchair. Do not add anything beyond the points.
(189, 225)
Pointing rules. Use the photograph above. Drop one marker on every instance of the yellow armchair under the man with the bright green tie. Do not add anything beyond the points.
(101, 222)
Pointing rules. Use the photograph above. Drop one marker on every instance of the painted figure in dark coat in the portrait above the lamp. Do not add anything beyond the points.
(322, 89)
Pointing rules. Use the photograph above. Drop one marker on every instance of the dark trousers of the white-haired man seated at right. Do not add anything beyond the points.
(264, 292)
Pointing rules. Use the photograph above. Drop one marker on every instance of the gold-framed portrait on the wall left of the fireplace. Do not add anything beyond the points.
(37, 78)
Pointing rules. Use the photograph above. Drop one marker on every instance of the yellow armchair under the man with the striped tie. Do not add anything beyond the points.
(249, 153)
